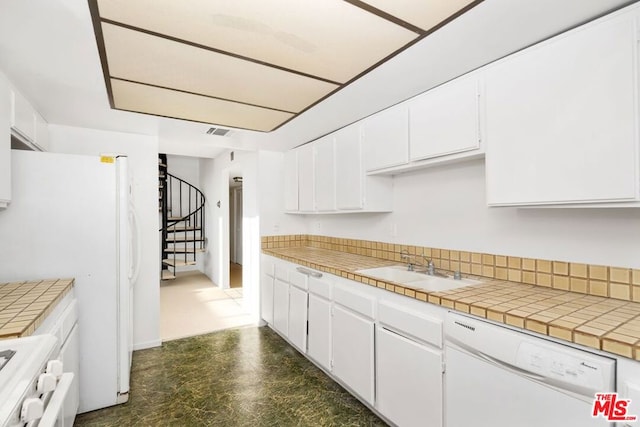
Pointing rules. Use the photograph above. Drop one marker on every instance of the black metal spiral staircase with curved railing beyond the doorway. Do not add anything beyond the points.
(182, 209)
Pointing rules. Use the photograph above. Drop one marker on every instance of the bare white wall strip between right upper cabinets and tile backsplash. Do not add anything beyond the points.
(444, 207)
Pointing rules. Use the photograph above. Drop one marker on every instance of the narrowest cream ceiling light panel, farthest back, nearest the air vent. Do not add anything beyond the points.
(162, 102)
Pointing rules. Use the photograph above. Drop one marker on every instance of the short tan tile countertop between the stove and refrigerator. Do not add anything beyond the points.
(25, 305)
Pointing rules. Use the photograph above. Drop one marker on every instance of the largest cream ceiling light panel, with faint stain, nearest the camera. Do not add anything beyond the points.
(331, 39)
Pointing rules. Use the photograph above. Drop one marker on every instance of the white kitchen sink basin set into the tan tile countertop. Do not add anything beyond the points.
(400, 274)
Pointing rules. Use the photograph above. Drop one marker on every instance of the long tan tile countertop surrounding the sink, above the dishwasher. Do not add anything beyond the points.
(602, 323)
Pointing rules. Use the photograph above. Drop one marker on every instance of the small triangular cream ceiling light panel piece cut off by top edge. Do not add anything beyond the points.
(424, 14)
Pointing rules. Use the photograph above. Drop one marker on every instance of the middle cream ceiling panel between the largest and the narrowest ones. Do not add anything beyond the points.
(140, 57)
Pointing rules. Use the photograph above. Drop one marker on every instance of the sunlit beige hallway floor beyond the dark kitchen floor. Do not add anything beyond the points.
(192, 305)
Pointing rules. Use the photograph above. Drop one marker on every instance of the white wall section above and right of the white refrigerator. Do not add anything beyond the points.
(142, 151)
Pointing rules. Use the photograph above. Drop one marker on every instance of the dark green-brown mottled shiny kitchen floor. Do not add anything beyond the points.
(237, 377)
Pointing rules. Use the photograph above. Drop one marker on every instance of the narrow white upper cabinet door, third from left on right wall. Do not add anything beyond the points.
(325, 178)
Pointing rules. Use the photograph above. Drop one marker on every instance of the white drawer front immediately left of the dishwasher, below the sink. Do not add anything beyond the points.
(412, 323)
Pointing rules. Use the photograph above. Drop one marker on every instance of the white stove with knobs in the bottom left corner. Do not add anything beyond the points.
(32, 382)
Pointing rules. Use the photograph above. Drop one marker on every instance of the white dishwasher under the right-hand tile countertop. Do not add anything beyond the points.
(498, 377)
